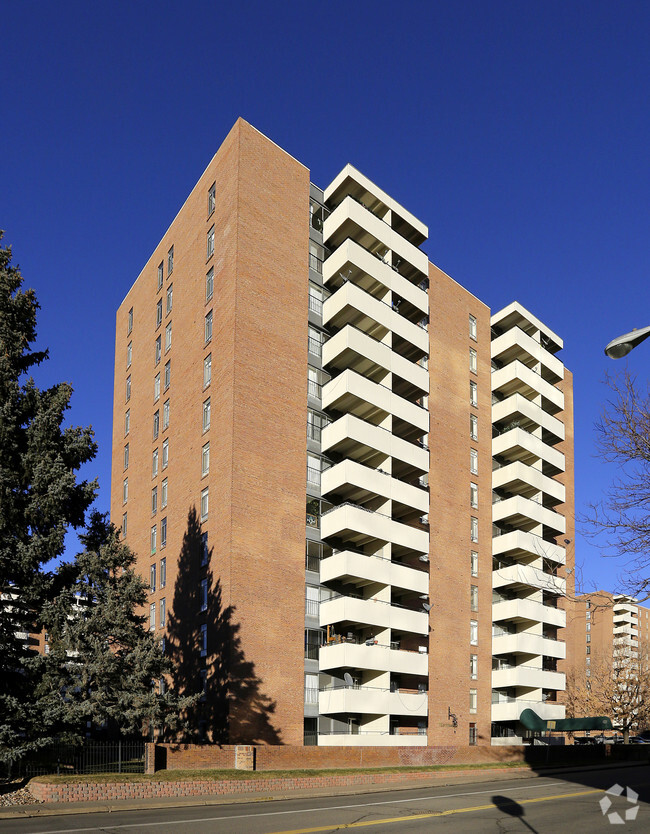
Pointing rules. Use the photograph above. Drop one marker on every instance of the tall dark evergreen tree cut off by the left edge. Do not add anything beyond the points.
(39, 498)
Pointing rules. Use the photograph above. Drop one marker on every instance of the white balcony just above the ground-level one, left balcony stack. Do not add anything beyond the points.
(372, 702)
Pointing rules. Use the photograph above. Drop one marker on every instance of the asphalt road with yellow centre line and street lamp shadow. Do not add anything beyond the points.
(569, 803)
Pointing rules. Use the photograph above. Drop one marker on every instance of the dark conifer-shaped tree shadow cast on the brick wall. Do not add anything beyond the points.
(233, 709)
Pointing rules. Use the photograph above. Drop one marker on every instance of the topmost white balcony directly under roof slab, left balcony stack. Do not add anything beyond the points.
(352, 220)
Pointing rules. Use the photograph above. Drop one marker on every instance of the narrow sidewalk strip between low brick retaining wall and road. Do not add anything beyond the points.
(437, 779)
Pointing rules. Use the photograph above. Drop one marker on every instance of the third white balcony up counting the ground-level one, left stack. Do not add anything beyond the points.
(373, 657)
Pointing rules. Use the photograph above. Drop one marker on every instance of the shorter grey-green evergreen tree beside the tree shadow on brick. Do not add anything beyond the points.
(104, 669)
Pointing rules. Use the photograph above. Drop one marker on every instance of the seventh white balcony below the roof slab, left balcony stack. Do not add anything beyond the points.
(356, 482)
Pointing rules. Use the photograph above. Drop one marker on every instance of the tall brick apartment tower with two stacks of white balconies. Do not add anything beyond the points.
(311, 424)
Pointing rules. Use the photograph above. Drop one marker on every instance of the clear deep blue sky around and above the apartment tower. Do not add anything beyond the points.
(518, 131)
